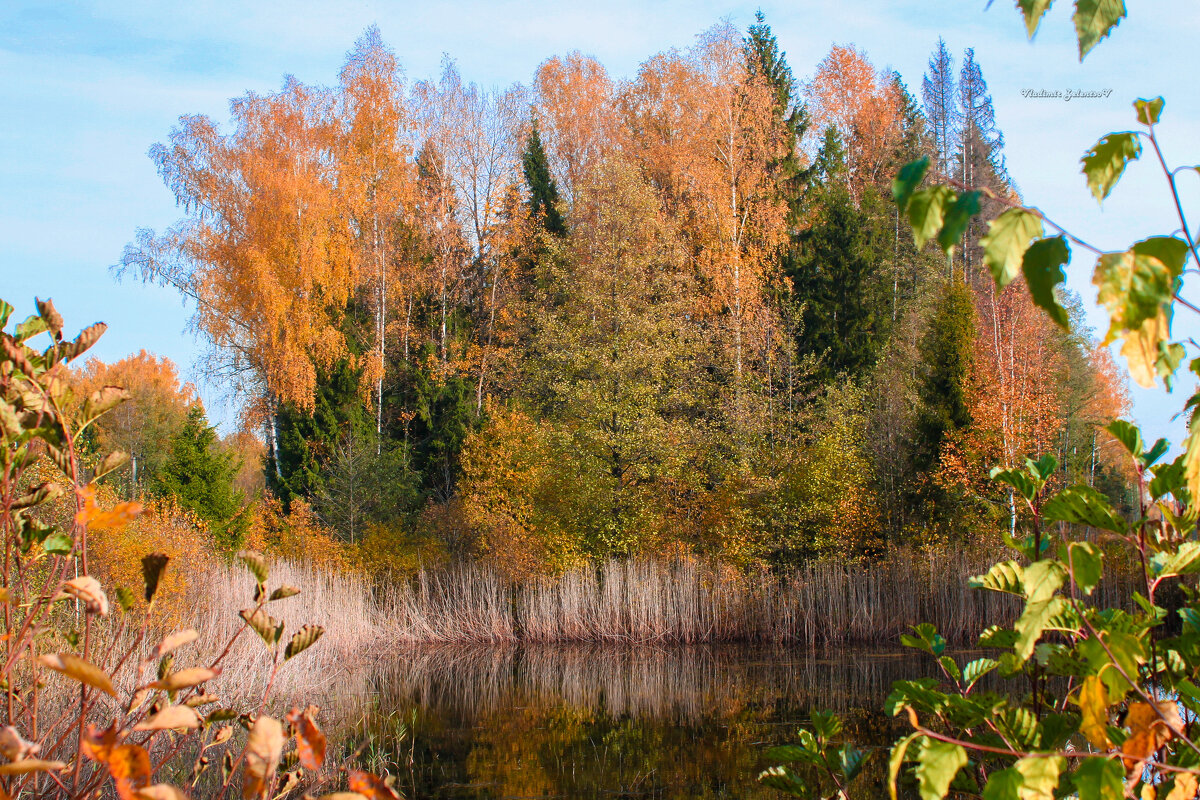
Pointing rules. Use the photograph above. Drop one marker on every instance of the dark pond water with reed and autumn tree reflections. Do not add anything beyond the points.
(617, 721)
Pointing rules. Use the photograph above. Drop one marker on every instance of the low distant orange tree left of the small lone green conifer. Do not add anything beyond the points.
(145, 426)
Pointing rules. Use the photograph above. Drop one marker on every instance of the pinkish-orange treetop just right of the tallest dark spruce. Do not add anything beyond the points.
(863, 106)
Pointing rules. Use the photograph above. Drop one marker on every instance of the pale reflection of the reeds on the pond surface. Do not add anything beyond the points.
(679, 683)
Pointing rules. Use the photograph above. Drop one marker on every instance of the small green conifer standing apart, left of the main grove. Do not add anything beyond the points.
(201, 477)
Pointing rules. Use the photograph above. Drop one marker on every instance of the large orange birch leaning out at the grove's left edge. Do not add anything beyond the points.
(261, 254)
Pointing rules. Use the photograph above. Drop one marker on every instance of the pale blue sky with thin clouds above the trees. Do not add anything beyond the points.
(87, 88)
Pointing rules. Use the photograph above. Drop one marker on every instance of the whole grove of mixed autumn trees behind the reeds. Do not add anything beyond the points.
(599, 317)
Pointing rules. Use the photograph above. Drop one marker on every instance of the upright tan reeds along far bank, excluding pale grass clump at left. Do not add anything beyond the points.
(687, 601)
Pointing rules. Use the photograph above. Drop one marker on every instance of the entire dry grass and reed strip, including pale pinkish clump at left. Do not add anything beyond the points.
(629, 601)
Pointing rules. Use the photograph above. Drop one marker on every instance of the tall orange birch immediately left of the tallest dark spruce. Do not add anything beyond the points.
(707, 134)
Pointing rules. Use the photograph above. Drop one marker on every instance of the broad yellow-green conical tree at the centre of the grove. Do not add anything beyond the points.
(616, 362)
